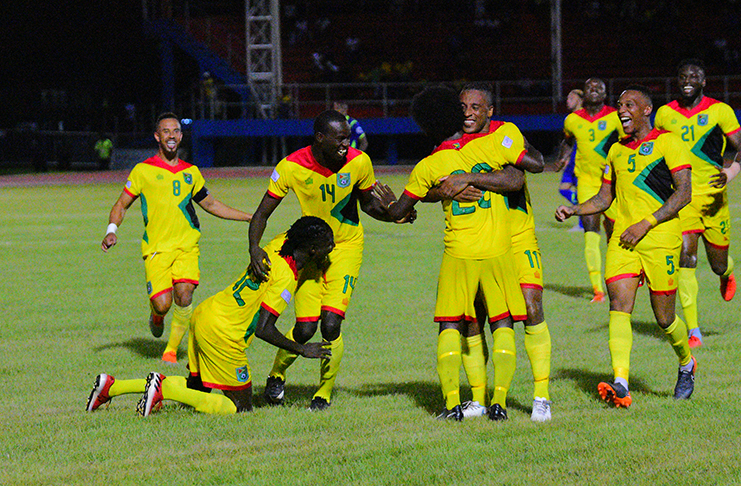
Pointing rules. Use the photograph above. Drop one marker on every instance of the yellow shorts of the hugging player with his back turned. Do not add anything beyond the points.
(460, 280)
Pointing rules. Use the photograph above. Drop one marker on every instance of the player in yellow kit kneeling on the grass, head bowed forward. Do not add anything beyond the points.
(223, 327)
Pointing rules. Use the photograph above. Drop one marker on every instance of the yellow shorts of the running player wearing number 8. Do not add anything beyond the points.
(163, 269)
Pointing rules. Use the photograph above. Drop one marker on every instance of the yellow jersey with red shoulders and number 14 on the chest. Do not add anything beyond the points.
(330, 196)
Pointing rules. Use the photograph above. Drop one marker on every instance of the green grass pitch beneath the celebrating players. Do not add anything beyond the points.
(70, 312)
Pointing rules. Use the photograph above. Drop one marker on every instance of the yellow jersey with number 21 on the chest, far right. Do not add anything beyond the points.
(703, 129)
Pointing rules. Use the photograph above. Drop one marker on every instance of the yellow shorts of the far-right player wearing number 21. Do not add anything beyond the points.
(708, 214)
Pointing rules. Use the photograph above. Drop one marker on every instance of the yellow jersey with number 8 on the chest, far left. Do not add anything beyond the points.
(167, 194)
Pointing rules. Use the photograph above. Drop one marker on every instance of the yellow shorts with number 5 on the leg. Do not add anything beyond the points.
(656, 256)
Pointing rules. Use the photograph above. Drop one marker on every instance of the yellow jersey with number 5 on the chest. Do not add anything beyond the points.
(641, 171)
